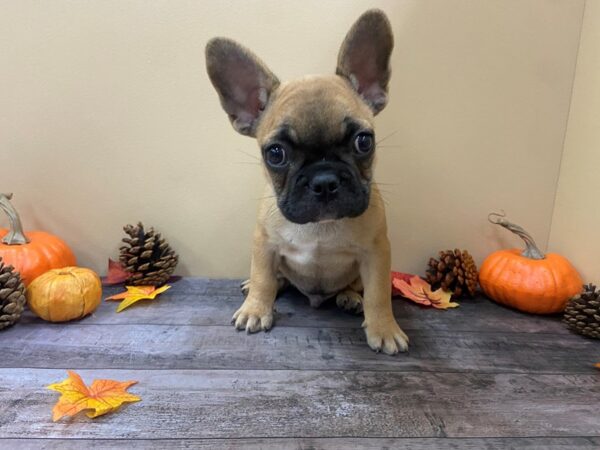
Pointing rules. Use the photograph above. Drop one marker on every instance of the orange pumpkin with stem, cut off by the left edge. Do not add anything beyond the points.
(32, 253)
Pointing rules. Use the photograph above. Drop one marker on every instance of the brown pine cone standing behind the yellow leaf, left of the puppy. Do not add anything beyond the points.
(147, 256)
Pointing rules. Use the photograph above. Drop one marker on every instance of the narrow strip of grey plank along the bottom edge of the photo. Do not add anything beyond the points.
(569, 443)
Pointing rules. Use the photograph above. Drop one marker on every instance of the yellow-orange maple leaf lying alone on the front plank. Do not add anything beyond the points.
(101, 397)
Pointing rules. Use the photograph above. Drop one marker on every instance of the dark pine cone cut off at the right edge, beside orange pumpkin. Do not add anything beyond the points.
(582, 313)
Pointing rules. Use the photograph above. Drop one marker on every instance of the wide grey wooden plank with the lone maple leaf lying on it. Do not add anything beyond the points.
(237, 404)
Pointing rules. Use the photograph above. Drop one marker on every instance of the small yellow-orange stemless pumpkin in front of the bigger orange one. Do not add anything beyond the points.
(64, 294)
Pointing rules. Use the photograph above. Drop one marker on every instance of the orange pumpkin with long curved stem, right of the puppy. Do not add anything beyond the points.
(528, 280)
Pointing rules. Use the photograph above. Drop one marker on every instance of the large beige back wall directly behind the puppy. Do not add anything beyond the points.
(107, 117)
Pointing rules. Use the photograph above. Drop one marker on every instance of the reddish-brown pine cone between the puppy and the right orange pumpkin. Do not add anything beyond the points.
(454, 272)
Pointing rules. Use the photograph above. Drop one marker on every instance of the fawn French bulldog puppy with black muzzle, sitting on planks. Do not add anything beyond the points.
(321, 226)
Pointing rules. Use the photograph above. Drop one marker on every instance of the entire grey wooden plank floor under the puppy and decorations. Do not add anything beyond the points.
(477, 377)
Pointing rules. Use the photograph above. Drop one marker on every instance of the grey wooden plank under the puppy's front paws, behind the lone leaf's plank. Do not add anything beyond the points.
(222, 347)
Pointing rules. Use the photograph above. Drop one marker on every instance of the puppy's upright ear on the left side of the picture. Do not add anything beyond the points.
(243, 81)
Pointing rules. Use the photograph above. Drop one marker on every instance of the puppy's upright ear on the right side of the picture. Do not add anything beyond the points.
(364, 57)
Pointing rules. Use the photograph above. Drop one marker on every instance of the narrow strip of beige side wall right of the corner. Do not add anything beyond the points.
(576, 222)
